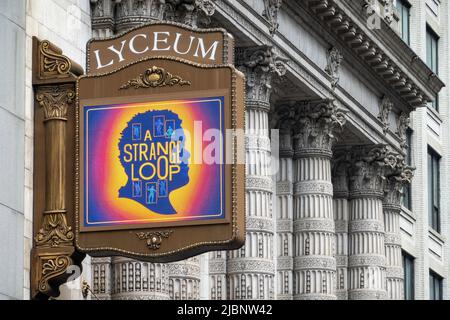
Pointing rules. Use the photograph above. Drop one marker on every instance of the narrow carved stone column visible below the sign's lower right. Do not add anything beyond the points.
(184, 279)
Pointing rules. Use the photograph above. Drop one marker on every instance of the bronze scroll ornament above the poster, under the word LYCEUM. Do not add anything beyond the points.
(155, 77)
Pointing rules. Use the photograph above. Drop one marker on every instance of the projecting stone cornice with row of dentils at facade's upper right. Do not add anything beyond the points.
(334, 15)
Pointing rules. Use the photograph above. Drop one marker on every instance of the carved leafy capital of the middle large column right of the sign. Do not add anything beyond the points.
(316, 124)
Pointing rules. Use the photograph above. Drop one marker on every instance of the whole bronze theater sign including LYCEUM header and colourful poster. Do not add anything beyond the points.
(157, 172)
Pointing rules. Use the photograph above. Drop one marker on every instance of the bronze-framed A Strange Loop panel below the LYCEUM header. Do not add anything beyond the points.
(158, 176)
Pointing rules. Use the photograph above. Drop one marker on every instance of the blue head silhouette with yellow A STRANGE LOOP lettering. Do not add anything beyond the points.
(153, 155)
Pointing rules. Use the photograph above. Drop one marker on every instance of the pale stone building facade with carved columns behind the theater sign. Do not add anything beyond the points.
(351, 101)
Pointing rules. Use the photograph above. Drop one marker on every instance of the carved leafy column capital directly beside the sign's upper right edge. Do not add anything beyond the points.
(259, 64)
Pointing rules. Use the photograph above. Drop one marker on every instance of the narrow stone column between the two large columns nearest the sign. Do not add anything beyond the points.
(284, 117)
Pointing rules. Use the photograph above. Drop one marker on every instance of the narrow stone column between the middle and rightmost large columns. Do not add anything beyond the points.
(341, 214)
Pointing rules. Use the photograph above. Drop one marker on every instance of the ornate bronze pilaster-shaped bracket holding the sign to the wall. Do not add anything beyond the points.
(54, 79)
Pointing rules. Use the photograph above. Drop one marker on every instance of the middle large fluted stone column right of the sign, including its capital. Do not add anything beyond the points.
(314, 232)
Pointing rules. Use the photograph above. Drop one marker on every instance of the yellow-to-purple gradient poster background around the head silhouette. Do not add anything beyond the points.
(201, 199)
